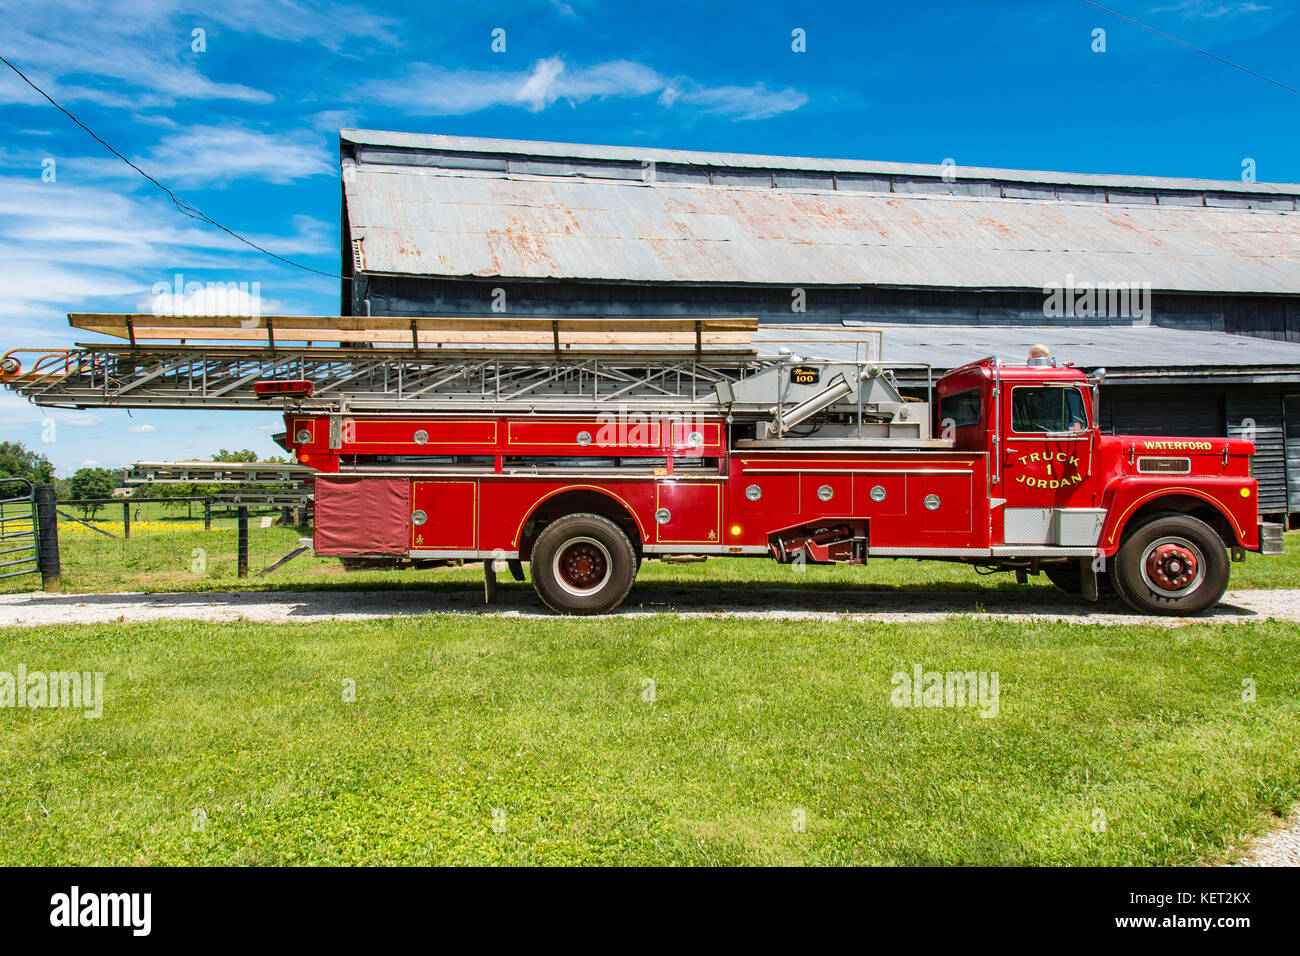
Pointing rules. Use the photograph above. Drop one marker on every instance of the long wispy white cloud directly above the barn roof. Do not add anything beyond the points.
(441, 92)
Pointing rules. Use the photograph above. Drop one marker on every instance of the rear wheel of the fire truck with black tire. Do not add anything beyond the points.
(583, 565)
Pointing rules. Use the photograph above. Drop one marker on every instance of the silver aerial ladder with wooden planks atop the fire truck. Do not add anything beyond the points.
(521, 366)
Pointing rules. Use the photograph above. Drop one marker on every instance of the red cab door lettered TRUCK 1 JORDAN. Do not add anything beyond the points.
(1050, 442)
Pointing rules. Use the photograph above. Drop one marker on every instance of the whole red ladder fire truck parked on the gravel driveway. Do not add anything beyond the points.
(584, 448)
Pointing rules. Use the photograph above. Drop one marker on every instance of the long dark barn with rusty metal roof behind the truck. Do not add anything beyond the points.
(1188, 292)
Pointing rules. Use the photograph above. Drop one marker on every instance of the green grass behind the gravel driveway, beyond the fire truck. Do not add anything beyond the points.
(164, 556)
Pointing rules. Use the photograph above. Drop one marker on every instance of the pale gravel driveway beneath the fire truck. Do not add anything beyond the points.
(804, 604)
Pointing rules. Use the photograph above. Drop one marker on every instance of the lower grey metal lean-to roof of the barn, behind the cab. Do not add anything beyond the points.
(1126, 352)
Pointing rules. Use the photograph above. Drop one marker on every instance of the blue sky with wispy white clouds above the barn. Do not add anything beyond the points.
(246, 129)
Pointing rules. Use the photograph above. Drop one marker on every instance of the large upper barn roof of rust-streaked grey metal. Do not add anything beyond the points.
(462, 207)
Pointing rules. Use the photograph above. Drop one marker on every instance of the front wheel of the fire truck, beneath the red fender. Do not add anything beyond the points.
(1173, 565)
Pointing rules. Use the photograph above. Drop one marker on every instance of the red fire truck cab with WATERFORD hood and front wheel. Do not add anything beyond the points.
(1159, 516)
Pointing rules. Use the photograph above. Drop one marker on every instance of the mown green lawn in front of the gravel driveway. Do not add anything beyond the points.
(547, 721)
